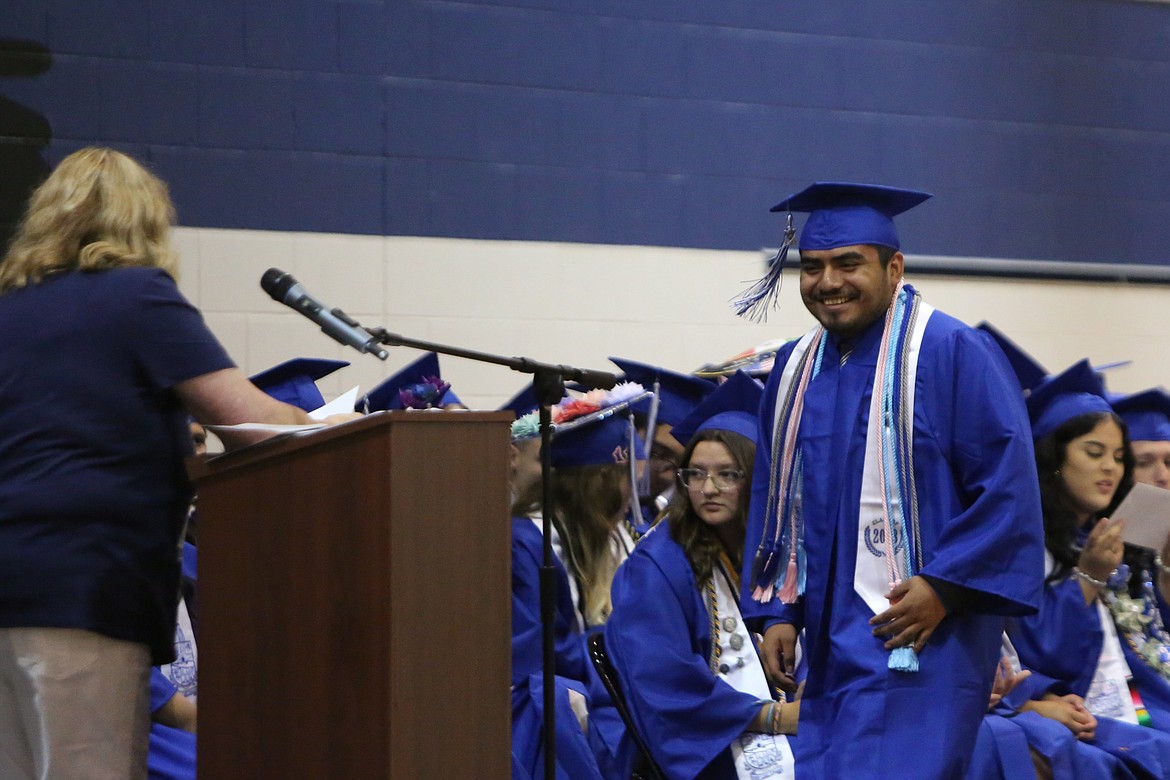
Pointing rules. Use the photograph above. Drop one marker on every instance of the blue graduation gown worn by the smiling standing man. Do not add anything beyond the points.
(981, 530)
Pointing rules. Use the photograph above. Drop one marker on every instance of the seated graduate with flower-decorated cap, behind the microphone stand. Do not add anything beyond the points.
(590, 736)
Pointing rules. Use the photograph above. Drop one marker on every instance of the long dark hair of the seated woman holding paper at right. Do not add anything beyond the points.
(1061, 516)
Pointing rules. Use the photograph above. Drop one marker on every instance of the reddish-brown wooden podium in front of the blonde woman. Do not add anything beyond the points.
(355, 618)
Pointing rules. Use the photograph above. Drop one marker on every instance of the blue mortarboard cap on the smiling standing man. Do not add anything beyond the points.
(843, 215)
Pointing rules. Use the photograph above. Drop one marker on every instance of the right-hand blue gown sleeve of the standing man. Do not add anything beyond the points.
(990, 540)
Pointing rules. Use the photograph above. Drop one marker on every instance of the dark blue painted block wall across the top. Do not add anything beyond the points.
(1043, 127)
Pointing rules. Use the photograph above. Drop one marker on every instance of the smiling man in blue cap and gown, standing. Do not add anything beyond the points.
(939, 493)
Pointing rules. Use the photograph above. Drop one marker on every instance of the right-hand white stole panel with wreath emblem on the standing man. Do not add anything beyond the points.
(871, 575)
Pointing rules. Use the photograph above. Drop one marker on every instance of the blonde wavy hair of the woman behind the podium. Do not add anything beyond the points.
(99, 210)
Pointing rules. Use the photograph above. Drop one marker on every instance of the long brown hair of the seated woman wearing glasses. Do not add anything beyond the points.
(696, 537)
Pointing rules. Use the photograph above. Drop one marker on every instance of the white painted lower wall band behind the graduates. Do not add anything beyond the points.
(576, 305)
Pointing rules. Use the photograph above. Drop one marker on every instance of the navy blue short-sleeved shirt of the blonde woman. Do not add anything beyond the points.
(93, 487)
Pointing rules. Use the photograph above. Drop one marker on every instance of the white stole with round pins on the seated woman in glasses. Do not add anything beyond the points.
(758, 757)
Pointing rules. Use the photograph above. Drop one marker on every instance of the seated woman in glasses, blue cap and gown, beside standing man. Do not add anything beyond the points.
(689, 665)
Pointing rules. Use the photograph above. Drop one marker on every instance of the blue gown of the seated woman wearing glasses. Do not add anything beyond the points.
(659, 641)
